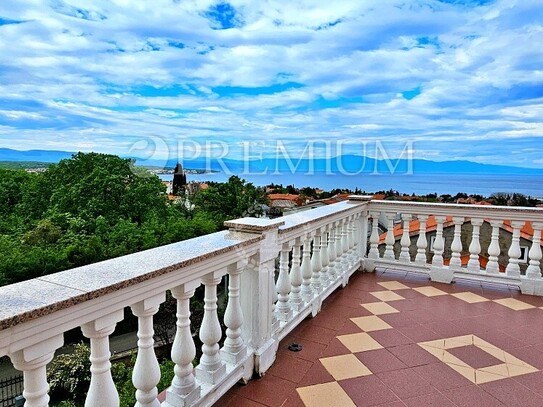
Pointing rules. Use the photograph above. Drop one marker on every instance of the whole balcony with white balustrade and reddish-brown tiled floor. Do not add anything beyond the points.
(414, 332)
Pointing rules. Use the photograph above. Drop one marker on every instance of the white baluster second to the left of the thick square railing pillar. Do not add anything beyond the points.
(211, 368)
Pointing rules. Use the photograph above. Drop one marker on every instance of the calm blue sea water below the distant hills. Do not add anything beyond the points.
(483, 184)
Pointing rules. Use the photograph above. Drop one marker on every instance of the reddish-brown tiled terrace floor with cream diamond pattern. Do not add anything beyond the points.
(395, 339)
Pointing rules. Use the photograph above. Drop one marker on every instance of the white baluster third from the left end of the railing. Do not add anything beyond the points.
(146, 374)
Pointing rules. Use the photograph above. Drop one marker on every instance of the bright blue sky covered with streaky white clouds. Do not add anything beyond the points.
(437, 79)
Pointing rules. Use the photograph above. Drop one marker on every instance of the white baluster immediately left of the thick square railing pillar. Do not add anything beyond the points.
(234, 349)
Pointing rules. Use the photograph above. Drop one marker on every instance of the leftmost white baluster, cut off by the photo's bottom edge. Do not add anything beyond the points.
(32, 361)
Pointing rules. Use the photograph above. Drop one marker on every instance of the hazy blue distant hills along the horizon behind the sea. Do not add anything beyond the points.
(351, 164)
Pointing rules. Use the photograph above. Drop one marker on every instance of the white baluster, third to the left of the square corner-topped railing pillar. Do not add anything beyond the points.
(184, 391)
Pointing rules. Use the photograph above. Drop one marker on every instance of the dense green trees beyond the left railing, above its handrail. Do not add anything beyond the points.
(97, 206)
